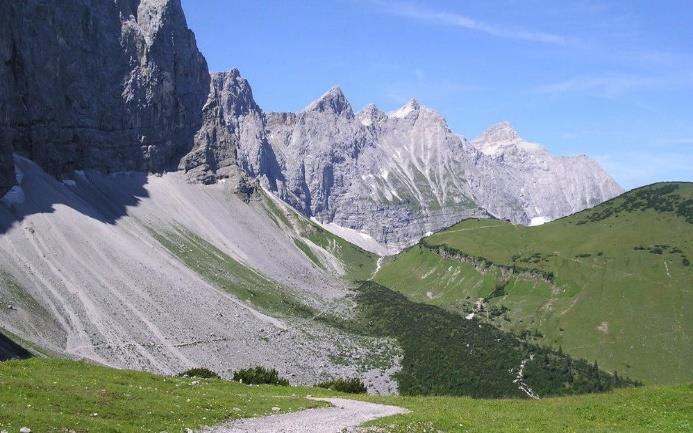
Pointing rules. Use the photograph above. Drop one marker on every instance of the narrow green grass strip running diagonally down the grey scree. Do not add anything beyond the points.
(228, 274)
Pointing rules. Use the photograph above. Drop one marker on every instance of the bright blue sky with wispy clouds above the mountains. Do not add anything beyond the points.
(611, 79)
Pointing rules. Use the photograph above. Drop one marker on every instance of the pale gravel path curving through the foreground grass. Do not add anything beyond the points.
(344, 414)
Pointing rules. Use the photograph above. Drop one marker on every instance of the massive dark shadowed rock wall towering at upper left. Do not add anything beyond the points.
(115, 85)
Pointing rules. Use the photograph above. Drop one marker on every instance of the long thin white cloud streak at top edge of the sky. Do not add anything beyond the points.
(445, 18)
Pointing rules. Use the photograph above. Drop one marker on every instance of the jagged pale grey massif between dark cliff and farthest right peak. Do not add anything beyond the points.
(392, 176)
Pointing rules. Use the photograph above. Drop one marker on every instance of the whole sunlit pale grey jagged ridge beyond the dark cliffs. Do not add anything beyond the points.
(397, 176)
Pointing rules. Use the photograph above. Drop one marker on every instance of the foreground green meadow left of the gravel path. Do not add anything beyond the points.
(52, 396)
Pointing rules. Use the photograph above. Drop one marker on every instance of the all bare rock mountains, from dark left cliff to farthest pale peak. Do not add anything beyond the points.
(142, 100)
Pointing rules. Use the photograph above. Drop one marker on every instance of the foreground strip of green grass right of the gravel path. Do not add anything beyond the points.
(654, 409)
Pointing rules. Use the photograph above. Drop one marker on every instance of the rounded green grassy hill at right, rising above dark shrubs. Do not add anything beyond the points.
(611, 284)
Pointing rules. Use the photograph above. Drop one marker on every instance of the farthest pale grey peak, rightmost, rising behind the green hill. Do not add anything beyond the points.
(524, 183)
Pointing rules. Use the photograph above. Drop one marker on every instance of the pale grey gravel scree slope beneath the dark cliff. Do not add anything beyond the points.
(82, 276)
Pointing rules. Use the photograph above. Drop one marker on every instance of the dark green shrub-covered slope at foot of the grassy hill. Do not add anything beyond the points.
(447, 355)
